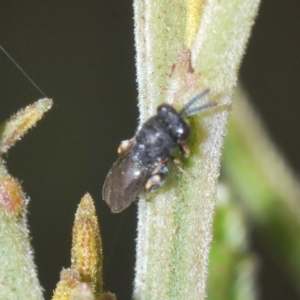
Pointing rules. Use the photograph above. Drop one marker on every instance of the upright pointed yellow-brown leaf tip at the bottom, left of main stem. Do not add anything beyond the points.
(84, 279)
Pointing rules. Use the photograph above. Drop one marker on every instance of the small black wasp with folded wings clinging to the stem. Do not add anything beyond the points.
(142, 164)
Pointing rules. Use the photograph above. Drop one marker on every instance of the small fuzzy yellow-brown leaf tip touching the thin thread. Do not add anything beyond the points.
(21, 122)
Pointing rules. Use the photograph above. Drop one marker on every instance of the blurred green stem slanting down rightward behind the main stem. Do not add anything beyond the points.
(266, 186)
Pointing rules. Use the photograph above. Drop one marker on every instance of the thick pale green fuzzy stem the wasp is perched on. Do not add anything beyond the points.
(175, 229)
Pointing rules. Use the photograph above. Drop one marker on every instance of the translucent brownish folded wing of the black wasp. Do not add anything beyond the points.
(125, 180)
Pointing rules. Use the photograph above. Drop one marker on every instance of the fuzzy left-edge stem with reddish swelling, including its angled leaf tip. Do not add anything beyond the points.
(18, 276)
